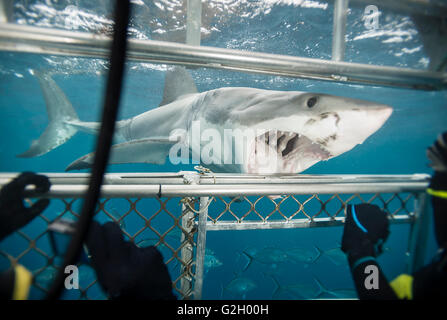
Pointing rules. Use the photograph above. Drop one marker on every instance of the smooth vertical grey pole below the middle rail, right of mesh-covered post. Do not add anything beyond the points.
(201, 247)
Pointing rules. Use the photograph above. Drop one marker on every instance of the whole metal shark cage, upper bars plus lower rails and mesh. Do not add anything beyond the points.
(194, 203)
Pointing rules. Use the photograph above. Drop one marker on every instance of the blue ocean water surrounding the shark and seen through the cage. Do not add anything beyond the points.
(284, 27)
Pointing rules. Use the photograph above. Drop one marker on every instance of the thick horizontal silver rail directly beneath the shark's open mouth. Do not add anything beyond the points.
(273, 186)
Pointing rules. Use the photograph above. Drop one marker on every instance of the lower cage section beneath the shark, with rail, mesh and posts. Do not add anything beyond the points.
(196, 203)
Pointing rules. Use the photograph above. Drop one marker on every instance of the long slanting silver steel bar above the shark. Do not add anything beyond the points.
(24, 38)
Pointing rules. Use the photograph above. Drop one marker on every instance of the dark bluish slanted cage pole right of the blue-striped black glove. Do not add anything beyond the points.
(419, 233)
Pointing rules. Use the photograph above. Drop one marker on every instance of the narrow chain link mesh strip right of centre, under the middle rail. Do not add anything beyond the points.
(303, 208)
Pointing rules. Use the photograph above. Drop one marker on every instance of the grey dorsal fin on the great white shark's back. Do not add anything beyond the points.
(178, 82)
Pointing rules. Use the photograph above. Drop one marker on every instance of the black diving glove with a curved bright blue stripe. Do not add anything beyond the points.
(366, 229)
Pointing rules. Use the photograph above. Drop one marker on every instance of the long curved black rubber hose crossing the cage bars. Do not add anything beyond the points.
(104, 141)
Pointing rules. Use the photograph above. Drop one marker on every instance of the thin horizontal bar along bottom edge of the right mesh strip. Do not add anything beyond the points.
(286, 224)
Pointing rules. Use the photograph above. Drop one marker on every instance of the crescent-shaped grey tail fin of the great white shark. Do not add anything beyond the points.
(59, 111)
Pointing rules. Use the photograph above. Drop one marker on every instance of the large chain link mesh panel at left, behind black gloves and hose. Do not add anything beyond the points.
(145, 222)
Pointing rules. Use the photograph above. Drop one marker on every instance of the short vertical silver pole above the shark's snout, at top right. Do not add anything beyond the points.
(339, 29)
